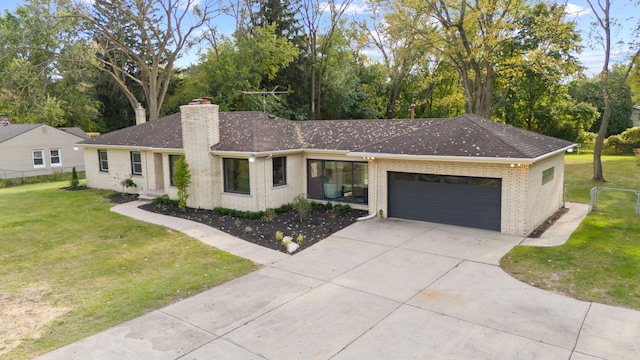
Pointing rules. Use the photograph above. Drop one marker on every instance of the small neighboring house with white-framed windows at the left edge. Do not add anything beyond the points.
(37, 149)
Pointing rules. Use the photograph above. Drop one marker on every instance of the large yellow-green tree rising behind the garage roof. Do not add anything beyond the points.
(491, 42)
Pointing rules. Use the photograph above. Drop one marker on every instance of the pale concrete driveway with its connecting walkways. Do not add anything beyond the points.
(379, 289)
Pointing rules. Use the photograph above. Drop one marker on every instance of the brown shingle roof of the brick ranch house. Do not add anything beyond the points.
(467, 135)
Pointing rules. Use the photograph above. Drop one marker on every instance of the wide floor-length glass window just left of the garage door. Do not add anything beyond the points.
(344, 181)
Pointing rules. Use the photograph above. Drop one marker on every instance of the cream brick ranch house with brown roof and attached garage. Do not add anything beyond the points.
(466, 171)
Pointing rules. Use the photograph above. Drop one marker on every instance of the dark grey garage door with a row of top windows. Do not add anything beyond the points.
(455, 200)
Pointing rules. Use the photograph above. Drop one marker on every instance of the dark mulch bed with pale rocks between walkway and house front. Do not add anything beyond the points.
(318, 225)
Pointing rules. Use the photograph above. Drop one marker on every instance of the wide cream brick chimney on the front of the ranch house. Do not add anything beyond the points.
(200, 131)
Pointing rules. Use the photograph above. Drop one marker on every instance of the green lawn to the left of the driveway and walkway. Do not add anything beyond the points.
(103, 268)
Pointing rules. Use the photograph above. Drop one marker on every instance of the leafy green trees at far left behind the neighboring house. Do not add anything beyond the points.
(45, 67)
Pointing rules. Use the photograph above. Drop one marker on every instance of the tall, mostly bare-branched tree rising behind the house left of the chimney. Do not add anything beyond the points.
(138, 42)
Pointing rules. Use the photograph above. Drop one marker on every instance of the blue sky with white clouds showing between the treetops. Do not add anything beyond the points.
(579, 11)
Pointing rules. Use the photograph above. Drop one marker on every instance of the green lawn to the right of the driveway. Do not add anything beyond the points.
(601, 260)
